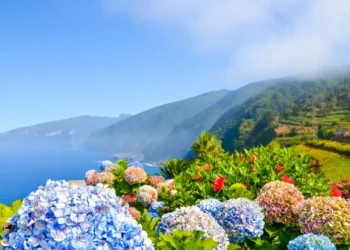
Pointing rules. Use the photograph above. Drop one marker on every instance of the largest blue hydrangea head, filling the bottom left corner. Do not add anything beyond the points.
(58, 216)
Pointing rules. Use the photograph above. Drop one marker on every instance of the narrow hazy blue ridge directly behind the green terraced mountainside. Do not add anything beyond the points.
(180, 139)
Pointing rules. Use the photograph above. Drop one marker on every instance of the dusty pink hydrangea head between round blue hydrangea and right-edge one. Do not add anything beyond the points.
(279, 202)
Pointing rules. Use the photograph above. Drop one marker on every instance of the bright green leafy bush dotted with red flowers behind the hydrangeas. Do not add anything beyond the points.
(245, 174)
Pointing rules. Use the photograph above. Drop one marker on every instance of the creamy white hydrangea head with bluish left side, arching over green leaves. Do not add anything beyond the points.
(193, 219)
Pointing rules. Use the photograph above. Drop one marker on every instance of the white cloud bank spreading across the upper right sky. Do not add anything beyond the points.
(264, 38)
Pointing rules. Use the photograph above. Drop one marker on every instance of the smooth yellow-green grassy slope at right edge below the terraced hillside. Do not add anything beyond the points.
(334, 166)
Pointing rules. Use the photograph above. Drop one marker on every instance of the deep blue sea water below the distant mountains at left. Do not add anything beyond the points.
(23, 172)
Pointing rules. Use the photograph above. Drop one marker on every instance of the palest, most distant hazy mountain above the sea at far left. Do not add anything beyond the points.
(61, 134)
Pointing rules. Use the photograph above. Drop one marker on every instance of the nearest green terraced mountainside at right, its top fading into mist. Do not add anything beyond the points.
(287, 106)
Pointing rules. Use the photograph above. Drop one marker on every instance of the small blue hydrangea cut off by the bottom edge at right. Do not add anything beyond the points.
(311, 242)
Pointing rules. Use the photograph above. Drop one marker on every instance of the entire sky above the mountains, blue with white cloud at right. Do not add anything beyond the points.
(65, 58)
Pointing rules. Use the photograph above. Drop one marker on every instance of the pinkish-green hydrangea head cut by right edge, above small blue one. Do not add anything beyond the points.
(329, 216)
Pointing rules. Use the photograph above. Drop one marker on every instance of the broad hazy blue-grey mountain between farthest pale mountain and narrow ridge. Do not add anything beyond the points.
(145, 132)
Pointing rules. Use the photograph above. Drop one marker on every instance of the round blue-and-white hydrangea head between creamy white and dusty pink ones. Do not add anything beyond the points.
(241, 219)
